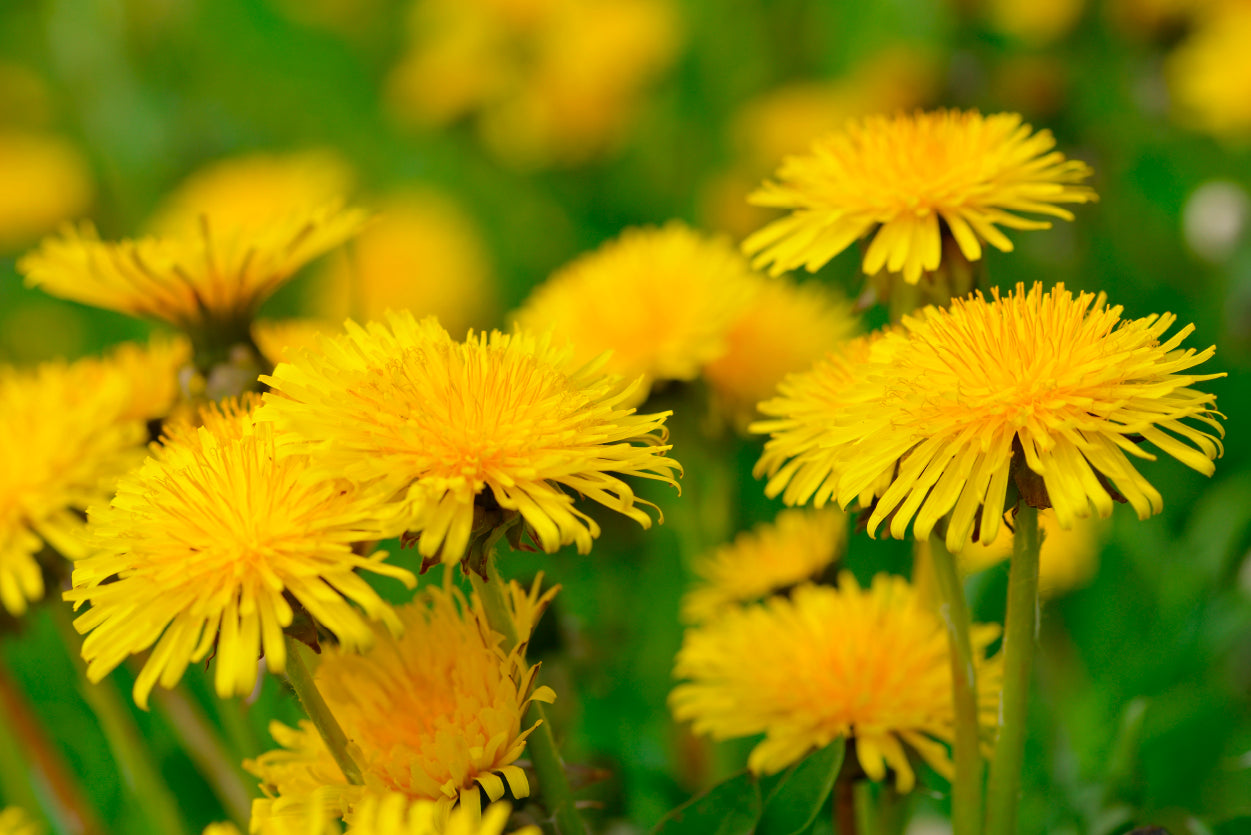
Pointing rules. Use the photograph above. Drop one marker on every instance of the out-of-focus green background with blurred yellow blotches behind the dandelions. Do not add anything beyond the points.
(497, 140)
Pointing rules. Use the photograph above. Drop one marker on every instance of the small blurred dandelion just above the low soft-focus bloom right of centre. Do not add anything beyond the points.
(798, 548)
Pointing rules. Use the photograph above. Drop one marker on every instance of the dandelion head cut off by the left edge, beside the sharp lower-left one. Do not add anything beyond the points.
(67, 434)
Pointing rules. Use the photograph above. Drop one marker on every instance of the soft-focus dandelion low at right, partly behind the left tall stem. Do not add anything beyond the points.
(828, 663)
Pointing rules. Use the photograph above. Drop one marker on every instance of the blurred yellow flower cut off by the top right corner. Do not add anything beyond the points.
(1210, 73)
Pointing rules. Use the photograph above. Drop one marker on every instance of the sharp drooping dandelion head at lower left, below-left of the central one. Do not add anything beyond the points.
(205, 548)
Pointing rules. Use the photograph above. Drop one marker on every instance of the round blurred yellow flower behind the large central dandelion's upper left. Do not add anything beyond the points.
(421, 254)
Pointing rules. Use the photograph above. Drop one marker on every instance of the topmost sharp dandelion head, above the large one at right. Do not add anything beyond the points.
(908, 180)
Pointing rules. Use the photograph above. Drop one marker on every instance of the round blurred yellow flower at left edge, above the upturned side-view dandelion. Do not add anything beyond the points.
(44, 181)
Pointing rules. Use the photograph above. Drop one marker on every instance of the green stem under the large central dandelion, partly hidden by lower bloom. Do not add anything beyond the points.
(552, 781)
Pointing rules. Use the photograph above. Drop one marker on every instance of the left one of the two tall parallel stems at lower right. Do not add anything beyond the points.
(966, 788)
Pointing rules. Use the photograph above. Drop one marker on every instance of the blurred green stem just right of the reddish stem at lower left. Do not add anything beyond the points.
(131, 752)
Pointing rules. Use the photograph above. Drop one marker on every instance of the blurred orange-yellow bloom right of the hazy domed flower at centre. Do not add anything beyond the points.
(785, 329)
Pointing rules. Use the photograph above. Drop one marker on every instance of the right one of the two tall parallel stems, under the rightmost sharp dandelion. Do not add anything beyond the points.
(1020, 634)
